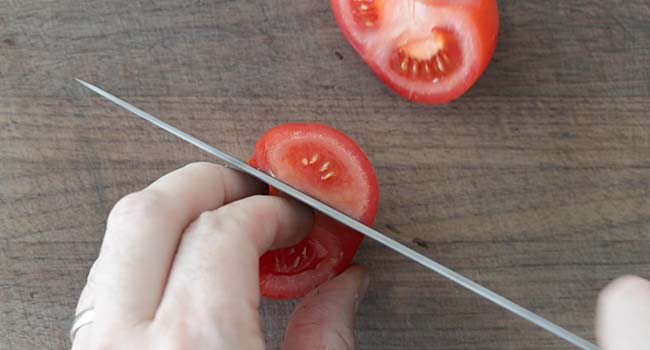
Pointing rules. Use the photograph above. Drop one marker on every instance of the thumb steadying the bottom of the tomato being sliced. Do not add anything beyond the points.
(324, 319)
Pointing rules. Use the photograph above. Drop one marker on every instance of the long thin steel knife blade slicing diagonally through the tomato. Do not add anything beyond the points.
(353, 223)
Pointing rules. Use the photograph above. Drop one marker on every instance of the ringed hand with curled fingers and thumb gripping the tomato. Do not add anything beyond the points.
(178, 269)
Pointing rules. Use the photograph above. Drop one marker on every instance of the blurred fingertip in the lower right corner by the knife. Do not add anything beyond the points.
(623, 315)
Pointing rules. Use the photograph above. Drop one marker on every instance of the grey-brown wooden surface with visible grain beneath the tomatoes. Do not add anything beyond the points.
(536, 183)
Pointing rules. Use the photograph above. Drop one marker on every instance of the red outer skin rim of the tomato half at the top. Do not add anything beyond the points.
(483, 18)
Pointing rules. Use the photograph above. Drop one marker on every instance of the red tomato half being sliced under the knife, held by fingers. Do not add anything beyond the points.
(329, 165)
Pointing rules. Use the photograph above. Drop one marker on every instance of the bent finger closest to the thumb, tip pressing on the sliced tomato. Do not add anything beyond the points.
(213, 287)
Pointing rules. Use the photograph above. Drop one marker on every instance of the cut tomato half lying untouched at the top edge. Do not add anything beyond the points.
(430, 51)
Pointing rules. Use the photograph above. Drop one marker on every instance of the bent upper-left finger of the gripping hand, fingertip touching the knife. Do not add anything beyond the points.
(143, 231)
